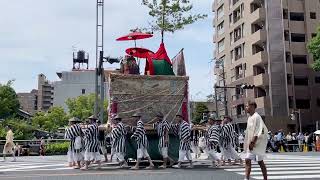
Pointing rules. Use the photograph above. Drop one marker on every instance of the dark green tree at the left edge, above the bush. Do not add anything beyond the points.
(9, 103)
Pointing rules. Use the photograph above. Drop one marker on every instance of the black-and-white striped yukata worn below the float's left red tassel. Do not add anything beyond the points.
(118, 143)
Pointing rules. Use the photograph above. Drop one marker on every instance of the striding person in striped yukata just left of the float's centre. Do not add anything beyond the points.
(142, 142)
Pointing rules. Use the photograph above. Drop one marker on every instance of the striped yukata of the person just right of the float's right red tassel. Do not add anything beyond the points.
(212, 140)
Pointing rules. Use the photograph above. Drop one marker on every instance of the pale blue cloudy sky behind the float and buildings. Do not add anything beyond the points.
(39, 36)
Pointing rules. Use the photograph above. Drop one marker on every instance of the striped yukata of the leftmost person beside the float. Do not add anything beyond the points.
(74, 133)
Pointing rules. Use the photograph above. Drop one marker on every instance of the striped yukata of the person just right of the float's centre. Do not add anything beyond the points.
(162, 127)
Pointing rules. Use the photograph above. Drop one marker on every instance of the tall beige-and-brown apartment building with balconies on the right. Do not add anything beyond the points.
(263, 42)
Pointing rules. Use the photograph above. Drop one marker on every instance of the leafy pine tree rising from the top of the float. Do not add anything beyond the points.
(170, 15)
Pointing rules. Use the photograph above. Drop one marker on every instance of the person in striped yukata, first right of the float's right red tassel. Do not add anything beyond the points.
(212, 140)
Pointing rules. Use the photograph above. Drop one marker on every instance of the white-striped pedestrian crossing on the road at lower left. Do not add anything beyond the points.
(32, 166)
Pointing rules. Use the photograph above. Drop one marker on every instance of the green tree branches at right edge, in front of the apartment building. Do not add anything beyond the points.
(314, 49)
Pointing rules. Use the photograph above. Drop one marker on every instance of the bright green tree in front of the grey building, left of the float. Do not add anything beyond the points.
(83, 106)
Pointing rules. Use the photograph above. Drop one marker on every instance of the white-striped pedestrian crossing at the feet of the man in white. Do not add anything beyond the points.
(284, 167)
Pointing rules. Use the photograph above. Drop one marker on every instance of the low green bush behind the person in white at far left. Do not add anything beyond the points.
(21, 129)
